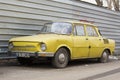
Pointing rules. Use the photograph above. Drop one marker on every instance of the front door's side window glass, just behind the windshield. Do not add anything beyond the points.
(79, 30)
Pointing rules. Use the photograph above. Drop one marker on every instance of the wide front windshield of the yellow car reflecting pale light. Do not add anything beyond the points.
(57, 28)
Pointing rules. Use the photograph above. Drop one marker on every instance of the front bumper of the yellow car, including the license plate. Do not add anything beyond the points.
(33, 54)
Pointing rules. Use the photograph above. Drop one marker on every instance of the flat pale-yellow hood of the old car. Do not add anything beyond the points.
(38, 38)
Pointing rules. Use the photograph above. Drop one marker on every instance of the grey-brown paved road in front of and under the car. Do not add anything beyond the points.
(76, 70)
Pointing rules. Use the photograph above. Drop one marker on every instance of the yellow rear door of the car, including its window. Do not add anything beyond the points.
(95, 42)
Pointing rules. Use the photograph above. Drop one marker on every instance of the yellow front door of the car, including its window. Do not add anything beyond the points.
(81, 43)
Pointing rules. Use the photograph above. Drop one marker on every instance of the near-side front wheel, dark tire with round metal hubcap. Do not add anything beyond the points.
(61, 58)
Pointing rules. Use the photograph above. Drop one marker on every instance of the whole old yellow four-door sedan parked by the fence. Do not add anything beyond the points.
(61, 42)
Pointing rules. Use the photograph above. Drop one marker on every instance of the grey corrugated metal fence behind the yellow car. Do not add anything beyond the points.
(26, 17)
